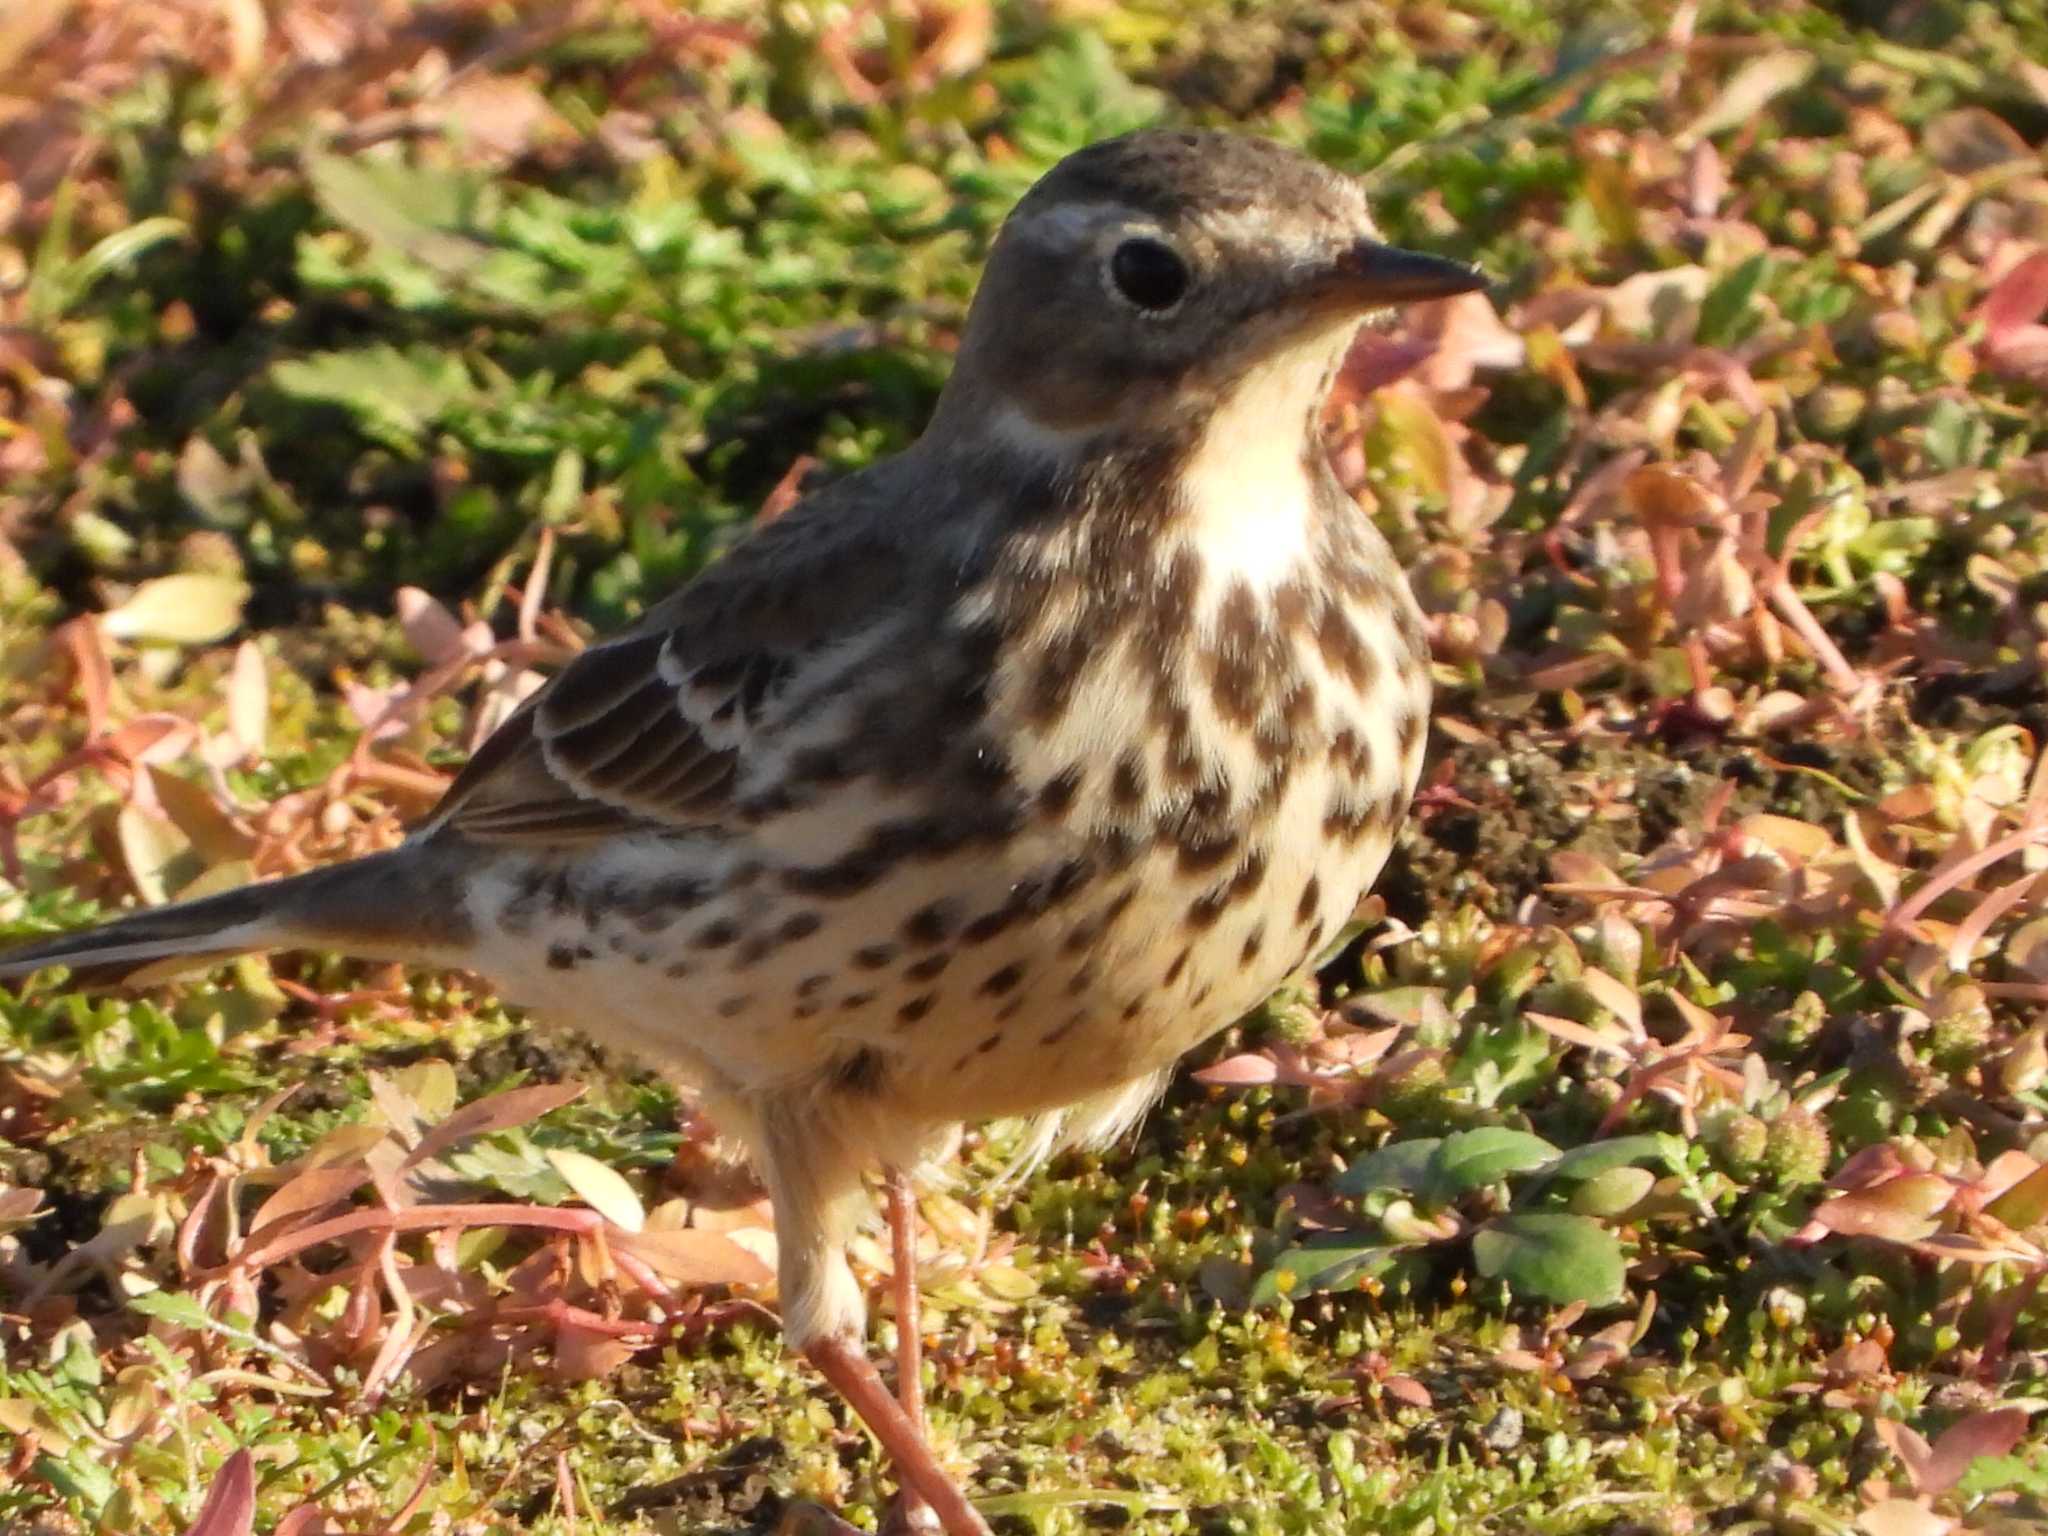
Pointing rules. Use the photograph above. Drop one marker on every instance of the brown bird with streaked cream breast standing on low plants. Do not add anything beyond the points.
(982, 783)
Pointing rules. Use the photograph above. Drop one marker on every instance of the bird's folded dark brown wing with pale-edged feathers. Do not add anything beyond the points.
(654, 728)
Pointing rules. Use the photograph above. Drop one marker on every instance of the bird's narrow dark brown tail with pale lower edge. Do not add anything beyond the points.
(345, 906)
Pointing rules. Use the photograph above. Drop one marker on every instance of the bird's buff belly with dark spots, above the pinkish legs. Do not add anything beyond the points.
(988, 982)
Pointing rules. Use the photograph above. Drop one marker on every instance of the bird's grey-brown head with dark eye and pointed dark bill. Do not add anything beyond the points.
(1150, 280)
